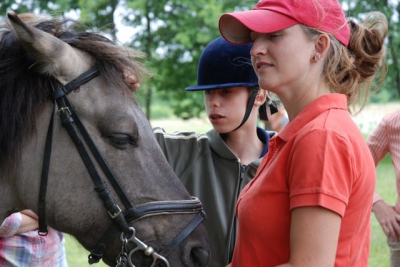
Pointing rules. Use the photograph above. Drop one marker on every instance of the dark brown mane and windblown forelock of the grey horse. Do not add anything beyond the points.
(24, 92)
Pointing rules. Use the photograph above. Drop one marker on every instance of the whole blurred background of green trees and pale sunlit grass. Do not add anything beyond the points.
(172, 34)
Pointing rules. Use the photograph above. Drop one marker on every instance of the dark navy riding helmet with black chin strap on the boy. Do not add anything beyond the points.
(223, 65)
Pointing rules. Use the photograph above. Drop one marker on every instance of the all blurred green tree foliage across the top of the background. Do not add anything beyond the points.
(174, 32)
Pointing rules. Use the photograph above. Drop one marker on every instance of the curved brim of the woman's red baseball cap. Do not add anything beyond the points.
(236, 27)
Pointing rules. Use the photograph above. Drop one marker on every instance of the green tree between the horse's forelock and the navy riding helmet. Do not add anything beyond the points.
(173, 35)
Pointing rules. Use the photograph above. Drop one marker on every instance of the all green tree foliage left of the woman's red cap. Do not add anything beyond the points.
(173, 34)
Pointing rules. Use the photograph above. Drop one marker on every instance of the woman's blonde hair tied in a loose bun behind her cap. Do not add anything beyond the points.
(360, 68)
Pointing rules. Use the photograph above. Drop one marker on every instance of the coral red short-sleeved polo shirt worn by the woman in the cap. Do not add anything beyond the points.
(319, 159)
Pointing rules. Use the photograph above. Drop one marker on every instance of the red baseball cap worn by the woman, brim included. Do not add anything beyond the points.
(275, 15)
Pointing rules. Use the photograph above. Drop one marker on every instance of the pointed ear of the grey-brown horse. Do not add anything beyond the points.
(53, 56)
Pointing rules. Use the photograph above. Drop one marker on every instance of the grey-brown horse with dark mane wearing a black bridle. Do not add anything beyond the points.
(76, 148)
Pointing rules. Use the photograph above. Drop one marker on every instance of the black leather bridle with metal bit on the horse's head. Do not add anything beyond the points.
(120, 219)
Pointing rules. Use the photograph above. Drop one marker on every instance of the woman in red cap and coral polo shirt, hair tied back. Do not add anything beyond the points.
(310, 201)
